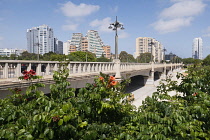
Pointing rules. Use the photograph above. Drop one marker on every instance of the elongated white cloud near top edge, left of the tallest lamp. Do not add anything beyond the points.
(70, 9)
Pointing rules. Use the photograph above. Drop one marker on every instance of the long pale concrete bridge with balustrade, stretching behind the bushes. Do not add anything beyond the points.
(80, 72)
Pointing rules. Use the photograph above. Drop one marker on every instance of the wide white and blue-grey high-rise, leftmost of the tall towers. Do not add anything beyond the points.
(40, 39)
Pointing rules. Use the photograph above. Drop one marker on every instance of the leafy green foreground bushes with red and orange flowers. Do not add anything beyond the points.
(101, 110)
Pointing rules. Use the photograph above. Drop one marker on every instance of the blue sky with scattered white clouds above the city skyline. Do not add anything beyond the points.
(172, 22)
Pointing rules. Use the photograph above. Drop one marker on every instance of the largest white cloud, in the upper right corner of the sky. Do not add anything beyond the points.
(180, 14)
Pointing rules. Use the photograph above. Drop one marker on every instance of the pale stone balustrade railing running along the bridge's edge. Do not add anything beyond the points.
(14, 68)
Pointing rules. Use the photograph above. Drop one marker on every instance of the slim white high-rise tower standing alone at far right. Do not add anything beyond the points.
(197, 50)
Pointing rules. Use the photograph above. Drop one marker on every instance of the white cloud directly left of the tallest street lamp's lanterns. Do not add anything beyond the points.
(101, 25)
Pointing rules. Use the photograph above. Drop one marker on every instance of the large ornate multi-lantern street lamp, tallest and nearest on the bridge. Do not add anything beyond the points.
(114, 27)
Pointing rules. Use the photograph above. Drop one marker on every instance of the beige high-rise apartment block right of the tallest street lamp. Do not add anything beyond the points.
(150, 45)
